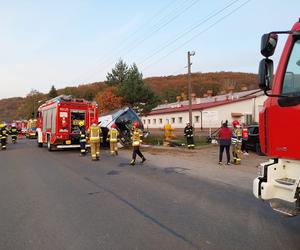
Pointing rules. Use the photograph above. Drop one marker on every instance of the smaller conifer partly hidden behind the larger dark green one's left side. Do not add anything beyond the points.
(118, 74)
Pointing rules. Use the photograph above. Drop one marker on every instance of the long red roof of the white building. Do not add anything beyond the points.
(200, 106)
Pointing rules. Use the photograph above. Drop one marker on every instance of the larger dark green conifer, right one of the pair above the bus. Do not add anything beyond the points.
(135, 93)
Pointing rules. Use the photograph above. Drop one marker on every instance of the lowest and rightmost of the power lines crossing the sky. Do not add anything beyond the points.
(198, 34)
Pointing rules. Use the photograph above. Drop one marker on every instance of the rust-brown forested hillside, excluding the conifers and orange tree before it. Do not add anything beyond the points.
(166, 87)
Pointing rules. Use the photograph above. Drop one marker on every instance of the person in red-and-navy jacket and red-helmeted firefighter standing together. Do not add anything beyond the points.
(237, 138)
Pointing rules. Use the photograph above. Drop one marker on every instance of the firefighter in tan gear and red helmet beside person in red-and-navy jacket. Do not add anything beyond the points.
(236, 141)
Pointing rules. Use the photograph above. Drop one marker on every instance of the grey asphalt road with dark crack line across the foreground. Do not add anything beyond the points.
(59, 200)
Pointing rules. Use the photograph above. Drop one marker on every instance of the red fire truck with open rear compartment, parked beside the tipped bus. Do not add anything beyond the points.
(58, 121)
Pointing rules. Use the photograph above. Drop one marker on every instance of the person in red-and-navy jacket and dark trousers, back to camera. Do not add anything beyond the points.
(225, 134)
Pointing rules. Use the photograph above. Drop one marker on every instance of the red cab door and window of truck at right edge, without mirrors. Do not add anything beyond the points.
(281, 119)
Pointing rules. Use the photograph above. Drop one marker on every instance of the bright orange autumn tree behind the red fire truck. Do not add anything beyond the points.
(108, 100)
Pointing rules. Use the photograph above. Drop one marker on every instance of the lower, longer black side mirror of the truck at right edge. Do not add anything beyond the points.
(265, 74)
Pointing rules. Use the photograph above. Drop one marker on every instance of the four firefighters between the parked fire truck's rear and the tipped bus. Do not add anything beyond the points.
(94, 134)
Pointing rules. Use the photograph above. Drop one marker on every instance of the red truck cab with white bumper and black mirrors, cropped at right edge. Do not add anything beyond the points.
(279, 178)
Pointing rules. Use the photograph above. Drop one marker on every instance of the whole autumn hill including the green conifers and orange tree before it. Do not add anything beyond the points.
(125, 85)
